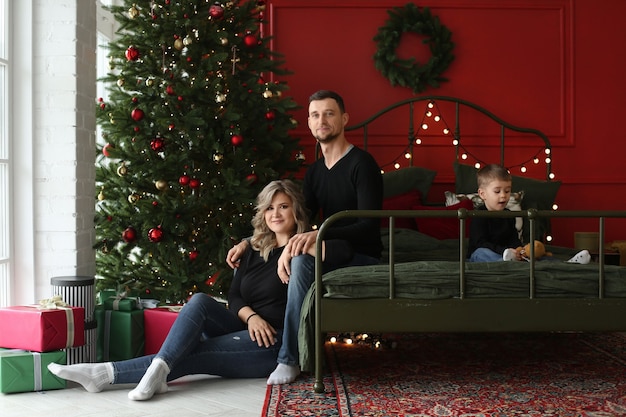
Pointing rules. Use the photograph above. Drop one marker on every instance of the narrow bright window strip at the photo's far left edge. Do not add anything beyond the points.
(5, 231)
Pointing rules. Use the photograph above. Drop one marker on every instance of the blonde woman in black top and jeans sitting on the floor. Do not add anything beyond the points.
(206, 338)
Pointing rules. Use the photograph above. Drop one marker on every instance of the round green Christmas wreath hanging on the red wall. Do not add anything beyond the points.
(410, 72)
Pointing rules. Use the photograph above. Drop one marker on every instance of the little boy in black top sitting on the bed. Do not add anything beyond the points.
(496, 239)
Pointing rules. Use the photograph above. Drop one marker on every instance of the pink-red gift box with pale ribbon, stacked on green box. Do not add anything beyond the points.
(42, 330)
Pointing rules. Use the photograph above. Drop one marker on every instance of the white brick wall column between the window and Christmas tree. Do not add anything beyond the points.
(64, 89)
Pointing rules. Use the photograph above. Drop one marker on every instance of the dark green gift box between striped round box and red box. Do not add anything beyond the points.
(120, 334)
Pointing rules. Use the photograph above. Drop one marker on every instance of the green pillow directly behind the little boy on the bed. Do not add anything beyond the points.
(538, 194)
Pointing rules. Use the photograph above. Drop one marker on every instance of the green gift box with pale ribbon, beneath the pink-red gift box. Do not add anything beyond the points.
(24, 371)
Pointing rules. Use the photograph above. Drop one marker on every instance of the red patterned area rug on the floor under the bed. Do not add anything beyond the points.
(547, 374)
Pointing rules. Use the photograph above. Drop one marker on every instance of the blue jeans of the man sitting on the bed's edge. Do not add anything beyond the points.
(301, 278)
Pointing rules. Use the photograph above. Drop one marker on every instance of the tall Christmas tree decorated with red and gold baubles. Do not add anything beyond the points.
(194, 126)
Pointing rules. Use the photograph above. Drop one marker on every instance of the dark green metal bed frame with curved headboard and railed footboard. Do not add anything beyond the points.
(462, 314)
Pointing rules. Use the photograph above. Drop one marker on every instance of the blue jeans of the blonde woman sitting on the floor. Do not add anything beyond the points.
(206, 338)
